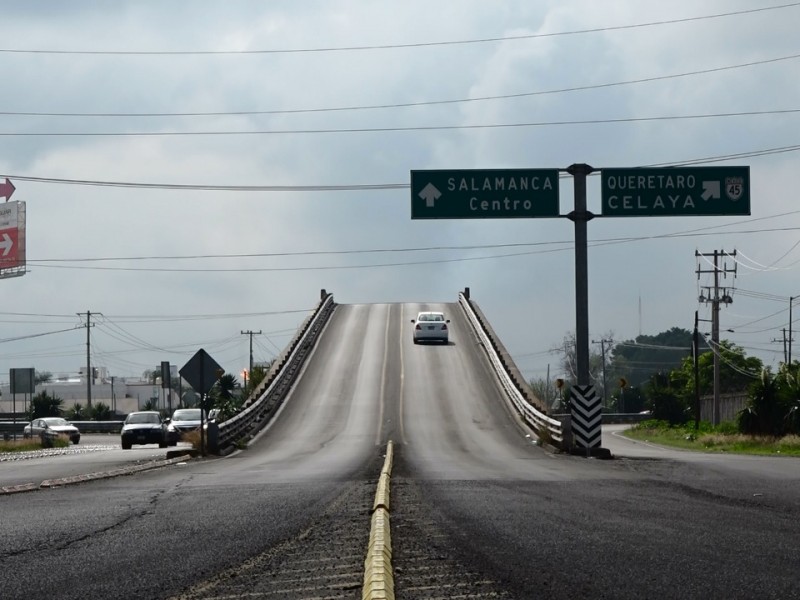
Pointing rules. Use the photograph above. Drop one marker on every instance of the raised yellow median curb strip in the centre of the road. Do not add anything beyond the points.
(378, 578)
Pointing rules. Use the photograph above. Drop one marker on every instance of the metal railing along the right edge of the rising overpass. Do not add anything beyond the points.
(547, 427)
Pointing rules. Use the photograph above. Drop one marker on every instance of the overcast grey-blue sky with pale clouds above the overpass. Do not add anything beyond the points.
(298, 95)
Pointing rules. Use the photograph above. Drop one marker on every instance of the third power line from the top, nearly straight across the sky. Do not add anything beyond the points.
(387, 129)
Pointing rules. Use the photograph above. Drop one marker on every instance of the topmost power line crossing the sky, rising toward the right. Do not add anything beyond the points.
(398, 46)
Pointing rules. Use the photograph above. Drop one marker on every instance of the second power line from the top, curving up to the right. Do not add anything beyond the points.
(239, 113)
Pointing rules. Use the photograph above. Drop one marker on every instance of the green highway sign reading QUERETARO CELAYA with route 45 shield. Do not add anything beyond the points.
(676, 191)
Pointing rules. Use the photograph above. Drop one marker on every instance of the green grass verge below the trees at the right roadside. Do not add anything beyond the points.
(722, 439)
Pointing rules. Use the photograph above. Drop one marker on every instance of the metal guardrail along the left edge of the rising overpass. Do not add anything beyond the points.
(258, 410)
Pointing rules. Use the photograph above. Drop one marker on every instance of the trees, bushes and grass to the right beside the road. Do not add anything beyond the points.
(659, 375)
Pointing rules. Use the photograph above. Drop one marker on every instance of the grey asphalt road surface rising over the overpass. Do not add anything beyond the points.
(478, 510)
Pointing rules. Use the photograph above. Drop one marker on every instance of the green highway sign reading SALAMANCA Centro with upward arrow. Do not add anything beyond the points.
(484, 194)
